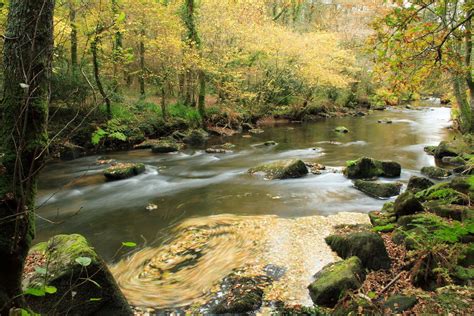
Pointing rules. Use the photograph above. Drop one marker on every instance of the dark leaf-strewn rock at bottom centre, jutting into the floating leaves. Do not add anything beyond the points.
(240, 295)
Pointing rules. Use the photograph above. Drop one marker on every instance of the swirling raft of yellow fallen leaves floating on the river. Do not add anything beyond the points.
(187, 268)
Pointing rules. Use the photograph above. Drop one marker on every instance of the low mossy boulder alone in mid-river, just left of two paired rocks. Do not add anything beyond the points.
(282, 169)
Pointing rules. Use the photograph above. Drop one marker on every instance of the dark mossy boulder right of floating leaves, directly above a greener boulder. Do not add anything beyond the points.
(367, 246)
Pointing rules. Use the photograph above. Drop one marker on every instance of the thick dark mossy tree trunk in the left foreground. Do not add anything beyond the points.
(27, 62)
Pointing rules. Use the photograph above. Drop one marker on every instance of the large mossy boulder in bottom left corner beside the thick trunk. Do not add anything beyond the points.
(75, 279)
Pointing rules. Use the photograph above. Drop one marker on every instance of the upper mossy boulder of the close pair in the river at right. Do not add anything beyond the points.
(365, 168)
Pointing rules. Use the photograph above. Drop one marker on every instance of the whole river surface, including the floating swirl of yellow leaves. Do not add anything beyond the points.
(210, 217)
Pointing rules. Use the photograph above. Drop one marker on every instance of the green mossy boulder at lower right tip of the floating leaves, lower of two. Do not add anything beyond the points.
(334, 280)
